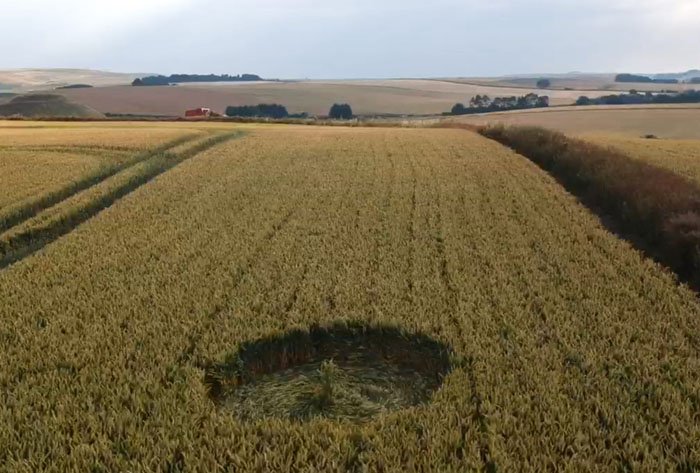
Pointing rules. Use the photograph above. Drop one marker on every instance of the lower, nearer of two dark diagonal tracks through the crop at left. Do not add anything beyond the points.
(19, 243)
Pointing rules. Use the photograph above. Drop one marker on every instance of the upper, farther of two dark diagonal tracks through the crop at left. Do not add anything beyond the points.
(28, 210)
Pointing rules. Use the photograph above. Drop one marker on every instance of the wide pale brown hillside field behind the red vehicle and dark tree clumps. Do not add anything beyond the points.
(413, 97)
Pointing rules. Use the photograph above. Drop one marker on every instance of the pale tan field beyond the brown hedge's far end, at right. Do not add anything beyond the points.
(679, 122)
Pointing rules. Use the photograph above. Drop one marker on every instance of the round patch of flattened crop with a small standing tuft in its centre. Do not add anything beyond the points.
(341, 372)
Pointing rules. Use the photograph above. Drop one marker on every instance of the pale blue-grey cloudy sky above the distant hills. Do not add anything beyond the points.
(352, 38)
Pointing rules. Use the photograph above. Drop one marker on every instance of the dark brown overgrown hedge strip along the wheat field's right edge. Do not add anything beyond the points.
(654, 209)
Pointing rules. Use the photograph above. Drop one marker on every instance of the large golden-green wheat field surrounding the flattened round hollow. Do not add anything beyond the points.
(567, 348)
